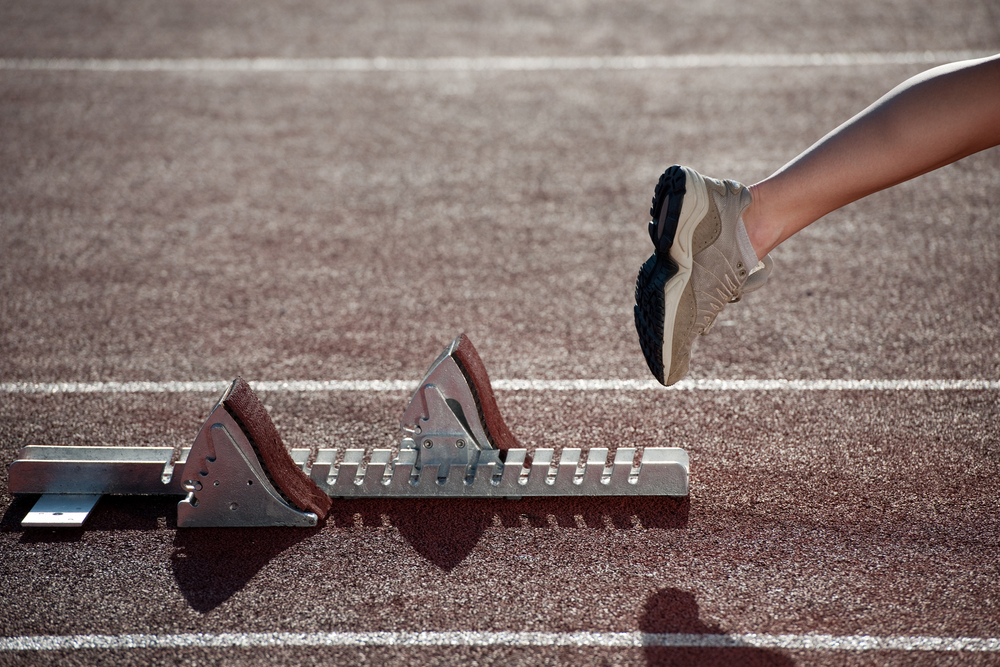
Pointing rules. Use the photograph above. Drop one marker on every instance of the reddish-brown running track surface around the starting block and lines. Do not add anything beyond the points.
(203, 226)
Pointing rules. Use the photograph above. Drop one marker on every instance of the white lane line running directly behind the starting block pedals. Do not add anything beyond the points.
(502, 385)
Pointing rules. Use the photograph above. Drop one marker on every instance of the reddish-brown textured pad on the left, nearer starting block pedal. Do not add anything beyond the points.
(286, 476)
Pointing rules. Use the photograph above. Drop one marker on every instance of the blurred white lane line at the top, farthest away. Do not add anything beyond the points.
(487, 64)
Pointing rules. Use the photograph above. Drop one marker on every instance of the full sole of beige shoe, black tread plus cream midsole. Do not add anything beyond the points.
(663, 278)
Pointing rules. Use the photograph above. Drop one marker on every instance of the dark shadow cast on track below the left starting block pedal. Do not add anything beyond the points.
(212, 564)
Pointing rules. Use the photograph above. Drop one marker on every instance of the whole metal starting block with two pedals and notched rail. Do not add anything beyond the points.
(454, 444)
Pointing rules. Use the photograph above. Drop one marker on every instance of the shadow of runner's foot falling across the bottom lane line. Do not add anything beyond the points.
(671, 611)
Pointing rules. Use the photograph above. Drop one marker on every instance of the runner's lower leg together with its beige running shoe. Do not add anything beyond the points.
(709, 235)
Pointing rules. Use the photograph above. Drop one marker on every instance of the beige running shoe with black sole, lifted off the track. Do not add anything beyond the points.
(698, 266)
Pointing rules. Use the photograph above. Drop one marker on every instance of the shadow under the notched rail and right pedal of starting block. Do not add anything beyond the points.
(445, 531)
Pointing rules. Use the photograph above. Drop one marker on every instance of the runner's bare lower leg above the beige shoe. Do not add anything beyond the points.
(930, 120)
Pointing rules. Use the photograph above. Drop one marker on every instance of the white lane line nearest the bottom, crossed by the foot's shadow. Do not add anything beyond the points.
(405, 639)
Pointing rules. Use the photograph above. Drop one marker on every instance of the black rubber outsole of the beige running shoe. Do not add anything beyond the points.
(658, 269)
